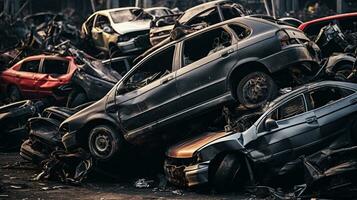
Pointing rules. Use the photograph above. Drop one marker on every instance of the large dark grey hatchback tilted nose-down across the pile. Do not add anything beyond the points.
(186, 80)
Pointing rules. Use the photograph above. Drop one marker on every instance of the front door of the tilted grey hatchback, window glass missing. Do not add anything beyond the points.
(150, 93)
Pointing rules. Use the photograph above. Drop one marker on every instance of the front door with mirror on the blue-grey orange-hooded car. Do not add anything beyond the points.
(296, 128)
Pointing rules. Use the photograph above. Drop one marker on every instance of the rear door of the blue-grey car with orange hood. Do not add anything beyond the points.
(332, 107)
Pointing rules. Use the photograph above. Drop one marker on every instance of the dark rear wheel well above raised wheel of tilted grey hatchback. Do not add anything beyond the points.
(240, 71)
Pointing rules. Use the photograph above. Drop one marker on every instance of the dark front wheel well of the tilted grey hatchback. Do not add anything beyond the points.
(84, 131)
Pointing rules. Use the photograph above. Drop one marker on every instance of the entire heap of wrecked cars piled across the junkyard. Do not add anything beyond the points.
(220, 98)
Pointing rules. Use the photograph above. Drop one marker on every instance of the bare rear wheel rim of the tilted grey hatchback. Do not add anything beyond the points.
(256, 90)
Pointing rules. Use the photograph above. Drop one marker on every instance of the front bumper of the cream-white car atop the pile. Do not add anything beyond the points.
(136, 44)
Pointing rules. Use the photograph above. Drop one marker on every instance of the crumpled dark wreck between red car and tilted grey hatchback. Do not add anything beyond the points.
(95, 78)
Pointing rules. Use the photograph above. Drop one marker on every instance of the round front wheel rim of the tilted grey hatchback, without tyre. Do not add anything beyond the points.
(102, 144)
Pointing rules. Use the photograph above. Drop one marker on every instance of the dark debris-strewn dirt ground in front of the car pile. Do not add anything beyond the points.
(16, 183)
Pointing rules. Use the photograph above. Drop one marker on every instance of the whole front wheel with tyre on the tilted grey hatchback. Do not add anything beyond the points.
(105, 143)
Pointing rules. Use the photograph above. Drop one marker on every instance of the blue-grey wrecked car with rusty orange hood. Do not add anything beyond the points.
(261, 145)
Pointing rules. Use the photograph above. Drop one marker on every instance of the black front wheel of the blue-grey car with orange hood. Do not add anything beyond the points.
(227, 172)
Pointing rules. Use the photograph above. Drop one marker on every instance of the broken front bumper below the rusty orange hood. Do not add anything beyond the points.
(187, 176)
